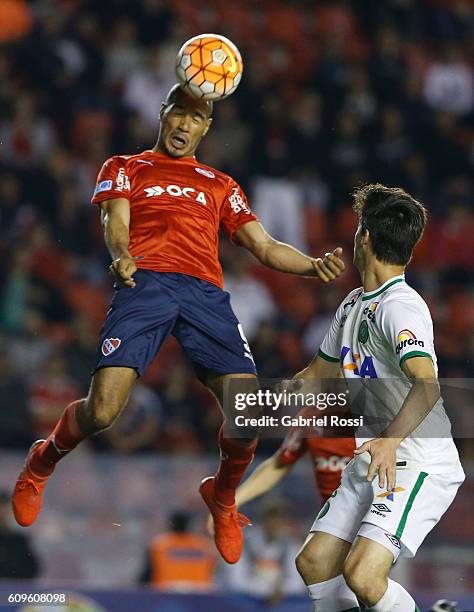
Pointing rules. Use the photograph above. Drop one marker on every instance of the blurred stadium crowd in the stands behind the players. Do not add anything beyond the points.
(334, 94)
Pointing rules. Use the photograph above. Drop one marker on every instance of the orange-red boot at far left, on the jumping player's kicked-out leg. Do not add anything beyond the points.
(28, 492)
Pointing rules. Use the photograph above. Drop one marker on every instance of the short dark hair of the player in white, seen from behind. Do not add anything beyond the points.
(394, 219)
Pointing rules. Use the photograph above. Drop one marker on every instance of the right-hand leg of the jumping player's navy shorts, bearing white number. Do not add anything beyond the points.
(209, 331)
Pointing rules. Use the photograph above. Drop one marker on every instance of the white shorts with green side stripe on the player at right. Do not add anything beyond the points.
(406, 514)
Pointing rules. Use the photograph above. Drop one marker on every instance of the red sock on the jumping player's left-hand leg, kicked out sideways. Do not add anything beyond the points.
(63, 439)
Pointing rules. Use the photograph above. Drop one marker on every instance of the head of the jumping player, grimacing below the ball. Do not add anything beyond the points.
(184, 122)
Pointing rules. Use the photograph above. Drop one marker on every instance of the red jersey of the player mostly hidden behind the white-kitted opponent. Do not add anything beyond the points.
(329, 455)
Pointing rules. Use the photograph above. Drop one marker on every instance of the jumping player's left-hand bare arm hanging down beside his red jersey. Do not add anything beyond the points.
(115, 217)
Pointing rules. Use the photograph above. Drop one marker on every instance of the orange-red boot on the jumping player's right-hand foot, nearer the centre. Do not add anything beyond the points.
(228, 523)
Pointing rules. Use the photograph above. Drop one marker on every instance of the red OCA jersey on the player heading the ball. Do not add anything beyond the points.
(177, 207)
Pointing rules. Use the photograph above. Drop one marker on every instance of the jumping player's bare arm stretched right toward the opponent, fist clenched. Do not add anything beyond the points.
(285, 258)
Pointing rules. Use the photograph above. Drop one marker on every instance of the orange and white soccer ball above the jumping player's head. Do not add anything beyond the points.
(209, 67)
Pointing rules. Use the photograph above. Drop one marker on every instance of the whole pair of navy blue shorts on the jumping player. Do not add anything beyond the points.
(197, 313)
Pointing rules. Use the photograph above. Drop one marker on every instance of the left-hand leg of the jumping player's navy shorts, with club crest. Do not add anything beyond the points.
(139, 320)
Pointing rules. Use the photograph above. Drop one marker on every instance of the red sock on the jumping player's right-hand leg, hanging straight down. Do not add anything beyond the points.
(236, 456)
